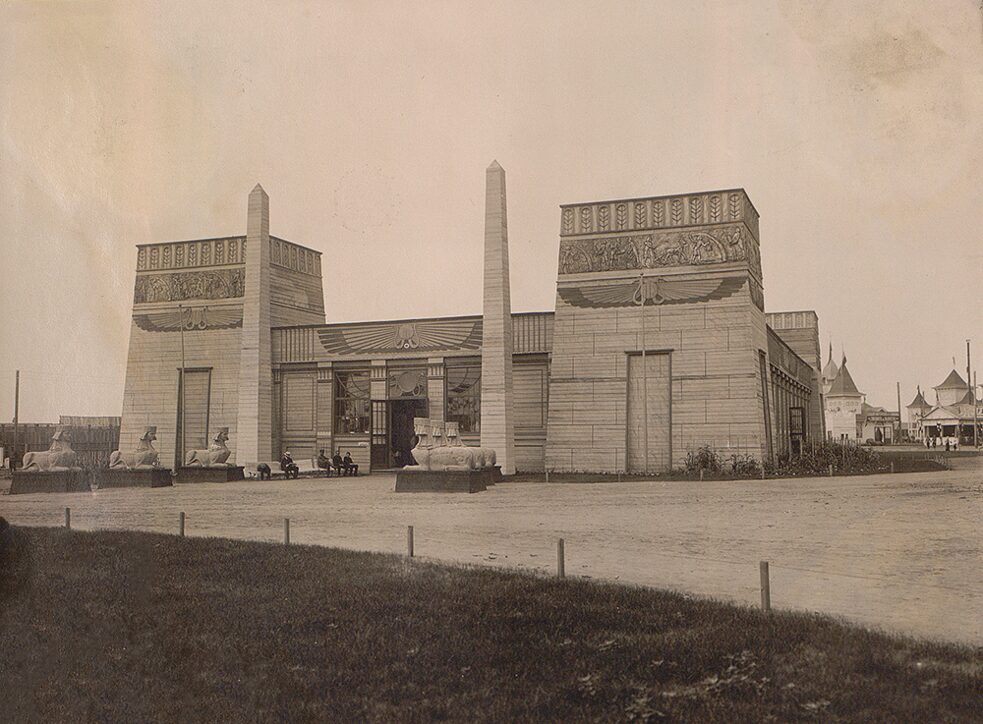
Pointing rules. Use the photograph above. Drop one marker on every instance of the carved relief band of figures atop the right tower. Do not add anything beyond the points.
(652, 251)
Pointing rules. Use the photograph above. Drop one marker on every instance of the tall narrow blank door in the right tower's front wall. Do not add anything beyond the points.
(654, 378)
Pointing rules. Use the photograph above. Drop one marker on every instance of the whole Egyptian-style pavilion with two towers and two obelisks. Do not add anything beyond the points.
(659, 344)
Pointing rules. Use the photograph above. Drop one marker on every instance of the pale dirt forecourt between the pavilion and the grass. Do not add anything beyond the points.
(901, 552)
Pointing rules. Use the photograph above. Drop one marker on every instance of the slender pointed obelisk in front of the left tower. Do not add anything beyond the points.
(254, 423)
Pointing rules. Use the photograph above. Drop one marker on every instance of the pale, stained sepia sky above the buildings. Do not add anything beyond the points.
(856, 128)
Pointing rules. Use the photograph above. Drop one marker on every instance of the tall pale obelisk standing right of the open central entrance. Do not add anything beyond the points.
(497, 422)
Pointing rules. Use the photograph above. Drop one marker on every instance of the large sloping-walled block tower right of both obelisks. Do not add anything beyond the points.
(695, 260)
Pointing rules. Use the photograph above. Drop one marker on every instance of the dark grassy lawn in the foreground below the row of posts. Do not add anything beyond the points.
(134, 627)
